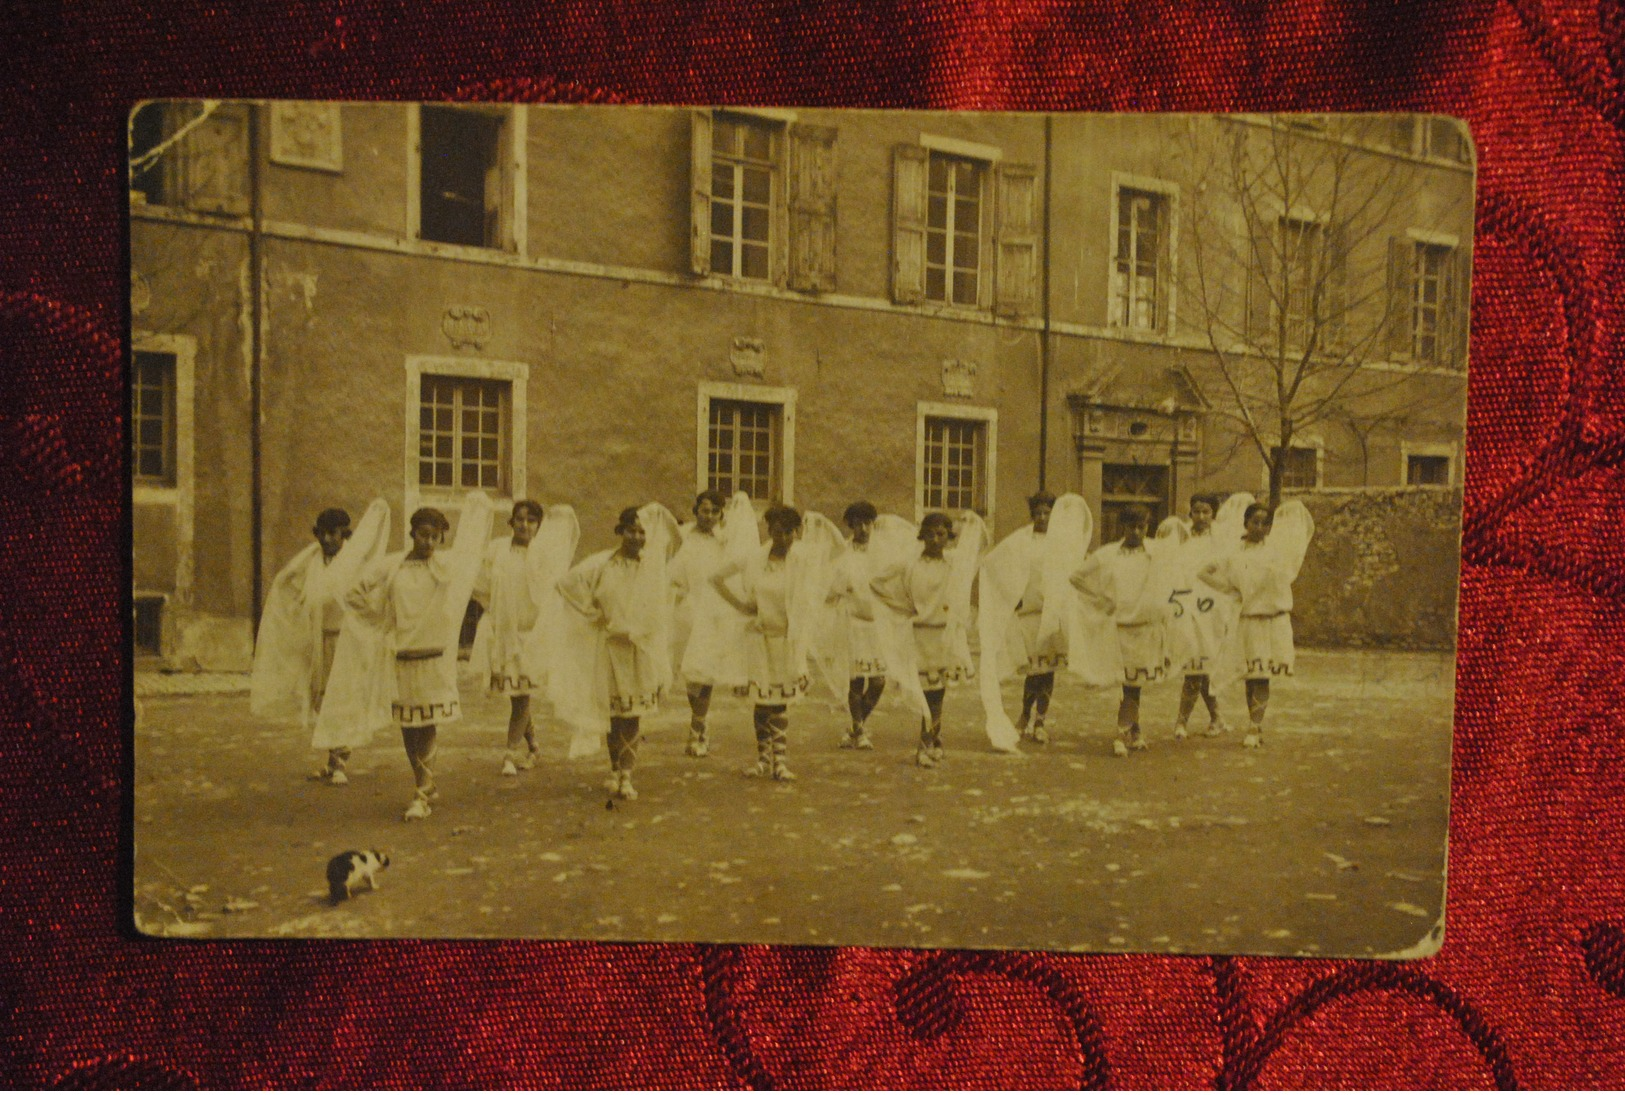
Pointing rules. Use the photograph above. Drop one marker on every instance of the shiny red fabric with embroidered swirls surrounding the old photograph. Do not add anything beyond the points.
(1530, 989)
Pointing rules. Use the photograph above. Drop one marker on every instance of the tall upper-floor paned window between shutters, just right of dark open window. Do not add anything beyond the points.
(745, 191)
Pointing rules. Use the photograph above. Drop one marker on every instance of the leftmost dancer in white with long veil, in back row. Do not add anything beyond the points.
(303, 618)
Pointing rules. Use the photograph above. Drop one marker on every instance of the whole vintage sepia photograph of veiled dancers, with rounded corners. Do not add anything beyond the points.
(890, 529)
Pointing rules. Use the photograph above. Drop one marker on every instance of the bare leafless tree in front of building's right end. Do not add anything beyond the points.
(1291, 280)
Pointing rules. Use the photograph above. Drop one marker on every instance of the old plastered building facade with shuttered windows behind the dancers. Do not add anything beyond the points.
(604, 306)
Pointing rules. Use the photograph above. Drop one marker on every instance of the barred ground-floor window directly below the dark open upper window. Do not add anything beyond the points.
(464, 433)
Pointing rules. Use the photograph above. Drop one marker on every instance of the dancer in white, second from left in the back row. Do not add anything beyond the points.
(518, 589)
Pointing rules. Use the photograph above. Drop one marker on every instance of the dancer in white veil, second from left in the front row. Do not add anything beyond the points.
(613, 660)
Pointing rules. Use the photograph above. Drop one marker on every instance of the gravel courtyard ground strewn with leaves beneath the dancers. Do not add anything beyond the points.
(1327, 842)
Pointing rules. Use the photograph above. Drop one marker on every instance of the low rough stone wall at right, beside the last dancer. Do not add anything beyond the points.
(1382, 571)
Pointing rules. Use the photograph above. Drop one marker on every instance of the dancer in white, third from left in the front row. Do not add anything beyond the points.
(782, 592)
